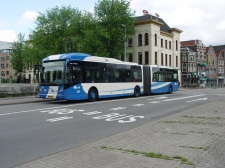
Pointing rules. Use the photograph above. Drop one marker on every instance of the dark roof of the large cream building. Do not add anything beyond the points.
(164, 27)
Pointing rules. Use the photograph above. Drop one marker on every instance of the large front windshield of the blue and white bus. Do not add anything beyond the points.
(52, 73)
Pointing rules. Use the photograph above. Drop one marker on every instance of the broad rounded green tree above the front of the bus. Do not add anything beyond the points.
(57, 31)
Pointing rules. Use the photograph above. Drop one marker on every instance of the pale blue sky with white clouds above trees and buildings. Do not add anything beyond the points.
(198, 19)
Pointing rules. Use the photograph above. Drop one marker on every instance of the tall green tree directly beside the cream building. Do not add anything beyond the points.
(111, 14)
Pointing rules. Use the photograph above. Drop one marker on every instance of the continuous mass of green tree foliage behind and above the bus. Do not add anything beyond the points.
(66, 29)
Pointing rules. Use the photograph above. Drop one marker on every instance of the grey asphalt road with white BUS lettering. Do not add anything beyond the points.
(35, 130)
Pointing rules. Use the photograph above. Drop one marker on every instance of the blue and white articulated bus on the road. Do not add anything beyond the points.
(80, 76)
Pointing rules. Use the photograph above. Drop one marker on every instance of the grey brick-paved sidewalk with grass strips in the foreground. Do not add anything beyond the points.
(191, 139)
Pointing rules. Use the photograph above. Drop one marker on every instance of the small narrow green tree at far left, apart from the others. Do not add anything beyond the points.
(17, 55)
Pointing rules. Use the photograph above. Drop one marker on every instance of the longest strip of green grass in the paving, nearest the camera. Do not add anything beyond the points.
(152, 155)
